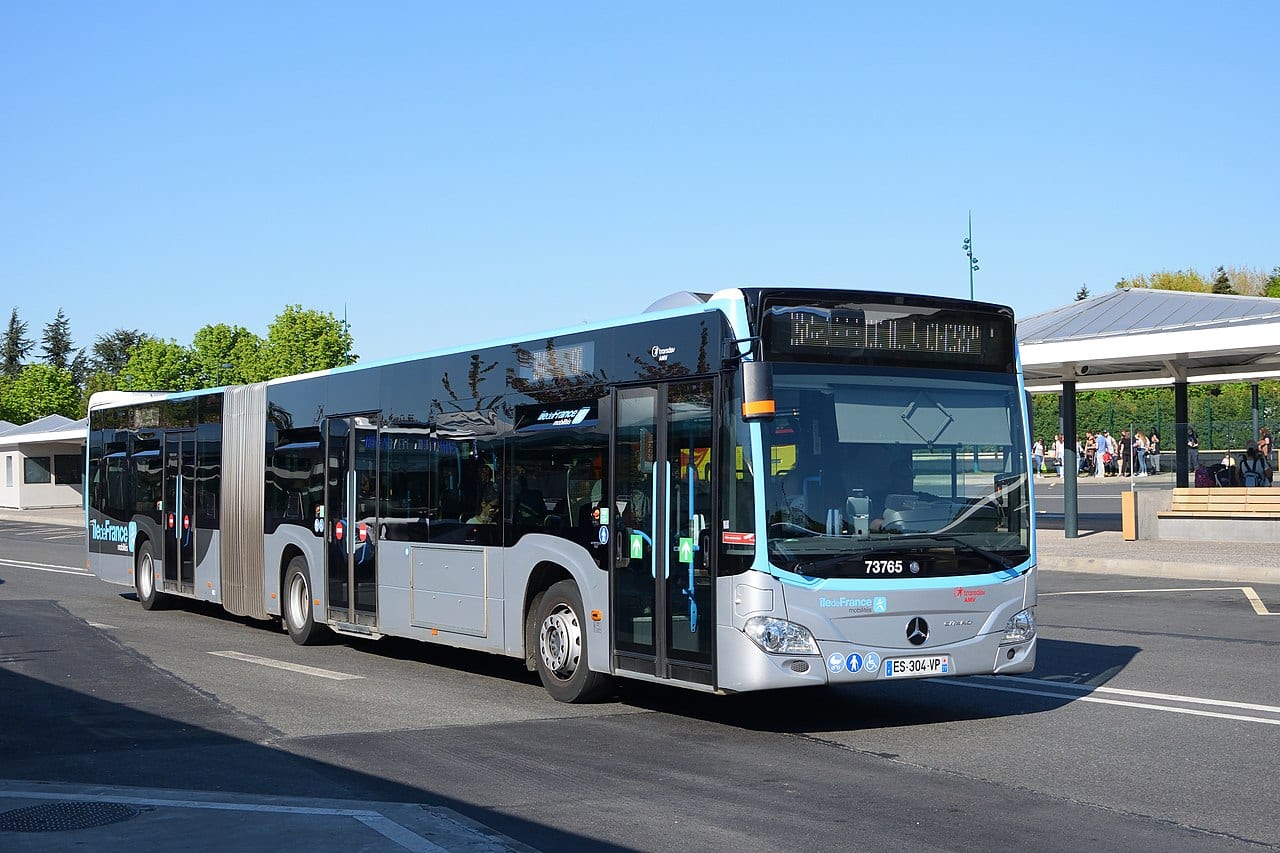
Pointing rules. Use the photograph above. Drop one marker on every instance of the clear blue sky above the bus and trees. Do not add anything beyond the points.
(461, 172)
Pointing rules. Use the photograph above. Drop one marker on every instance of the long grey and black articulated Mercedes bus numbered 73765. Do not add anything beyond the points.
(751, 490)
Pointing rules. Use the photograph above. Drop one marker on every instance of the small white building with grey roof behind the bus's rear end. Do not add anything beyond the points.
(43, 464)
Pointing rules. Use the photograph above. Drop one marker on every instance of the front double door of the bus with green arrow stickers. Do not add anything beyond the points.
(664, 614)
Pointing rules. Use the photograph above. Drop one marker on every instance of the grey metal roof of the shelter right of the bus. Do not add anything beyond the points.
(1136, 337)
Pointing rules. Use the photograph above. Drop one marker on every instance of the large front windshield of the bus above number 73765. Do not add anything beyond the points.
(893, 472)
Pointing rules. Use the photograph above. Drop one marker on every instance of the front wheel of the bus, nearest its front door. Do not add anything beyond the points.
(563, 647)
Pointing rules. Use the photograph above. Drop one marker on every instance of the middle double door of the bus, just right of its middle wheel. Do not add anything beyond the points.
(351, 519)
